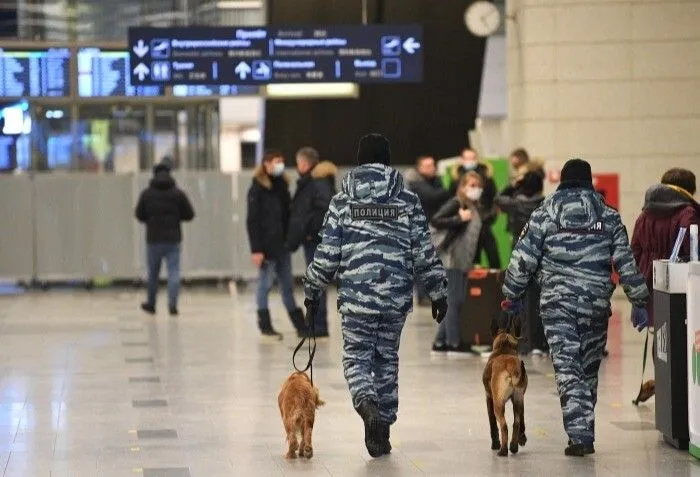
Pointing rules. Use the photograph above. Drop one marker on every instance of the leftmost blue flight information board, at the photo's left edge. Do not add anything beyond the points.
(34, 73)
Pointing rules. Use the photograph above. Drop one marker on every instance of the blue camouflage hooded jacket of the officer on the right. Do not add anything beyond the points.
(570, 244)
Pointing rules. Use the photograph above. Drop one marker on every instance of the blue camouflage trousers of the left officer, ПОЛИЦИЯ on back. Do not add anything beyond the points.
(371, 360)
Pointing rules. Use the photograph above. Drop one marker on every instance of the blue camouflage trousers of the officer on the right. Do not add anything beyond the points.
(576, 344)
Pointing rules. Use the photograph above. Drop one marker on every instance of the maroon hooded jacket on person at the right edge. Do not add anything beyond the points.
(666, 210)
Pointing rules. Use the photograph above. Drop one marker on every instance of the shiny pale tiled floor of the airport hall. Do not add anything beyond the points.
(90, 387)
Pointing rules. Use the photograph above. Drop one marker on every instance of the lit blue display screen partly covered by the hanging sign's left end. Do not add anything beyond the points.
(104, 73)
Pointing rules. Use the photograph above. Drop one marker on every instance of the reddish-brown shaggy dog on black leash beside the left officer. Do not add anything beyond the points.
(298, 401)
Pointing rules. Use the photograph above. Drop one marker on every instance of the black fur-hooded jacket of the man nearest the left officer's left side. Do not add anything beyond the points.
(310, 204)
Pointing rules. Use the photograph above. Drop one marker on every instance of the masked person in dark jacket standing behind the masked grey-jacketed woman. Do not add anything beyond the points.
(469, 161)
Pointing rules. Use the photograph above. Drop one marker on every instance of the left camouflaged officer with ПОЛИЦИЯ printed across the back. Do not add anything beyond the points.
(375, 237)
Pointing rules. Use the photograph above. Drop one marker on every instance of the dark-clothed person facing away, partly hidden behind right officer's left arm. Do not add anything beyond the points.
(518, 201)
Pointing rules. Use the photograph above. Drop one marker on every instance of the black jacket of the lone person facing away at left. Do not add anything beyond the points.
(163, 207)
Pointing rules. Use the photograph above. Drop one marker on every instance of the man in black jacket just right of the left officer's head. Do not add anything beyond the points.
(424, 182)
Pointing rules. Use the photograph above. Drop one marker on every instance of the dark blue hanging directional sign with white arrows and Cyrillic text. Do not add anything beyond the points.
(261, 55)
